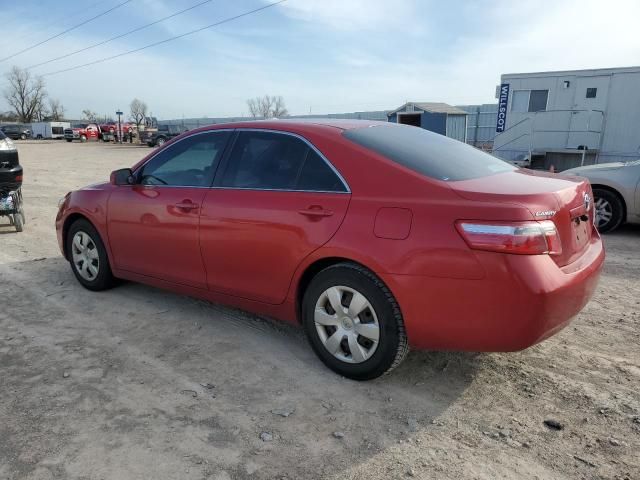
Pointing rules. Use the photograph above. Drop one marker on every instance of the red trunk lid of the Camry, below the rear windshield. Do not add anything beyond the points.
(567, 201)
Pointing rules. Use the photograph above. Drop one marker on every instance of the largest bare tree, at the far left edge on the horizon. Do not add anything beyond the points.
(26, 94)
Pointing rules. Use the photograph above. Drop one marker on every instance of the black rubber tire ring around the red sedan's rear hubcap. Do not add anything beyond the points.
(392, 344)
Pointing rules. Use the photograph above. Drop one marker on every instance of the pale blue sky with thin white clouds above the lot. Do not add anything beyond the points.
(322, 56)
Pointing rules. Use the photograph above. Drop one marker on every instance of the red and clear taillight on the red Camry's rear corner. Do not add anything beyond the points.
(522, 238)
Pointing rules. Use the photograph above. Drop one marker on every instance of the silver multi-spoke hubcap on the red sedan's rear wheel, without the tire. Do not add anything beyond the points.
(347, 324)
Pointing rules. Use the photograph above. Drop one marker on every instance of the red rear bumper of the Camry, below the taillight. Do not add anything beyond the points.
(522, 300)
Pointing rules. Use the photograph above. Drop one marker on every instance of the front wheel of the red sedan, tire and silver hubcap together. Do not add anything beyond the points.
(88, 257)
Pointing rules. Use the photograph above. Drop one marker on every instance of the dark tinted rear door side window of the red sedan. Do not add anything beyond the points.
(274, 161)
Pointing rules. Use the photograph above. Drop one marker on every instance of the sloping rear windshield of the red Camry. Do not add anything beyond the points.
(428, 153)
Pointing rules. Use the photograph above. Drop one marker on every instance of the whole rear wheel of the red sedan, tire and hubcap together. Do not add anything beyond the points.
(353, 322)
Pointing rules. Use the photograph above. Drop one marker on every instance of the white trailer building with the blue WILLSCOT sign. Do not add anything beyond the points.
(569, 117)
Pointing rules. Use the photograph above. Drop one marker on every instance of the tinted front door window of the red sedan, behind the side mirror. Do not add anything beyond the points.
(188, 163)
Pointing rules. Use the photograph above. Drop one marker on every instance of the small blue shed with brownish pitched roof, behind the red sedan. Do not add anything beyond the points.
(434, 116)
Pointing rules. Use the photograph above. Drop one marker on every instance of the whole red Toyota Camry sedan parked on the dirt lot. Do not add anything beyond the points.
(374, 236)
